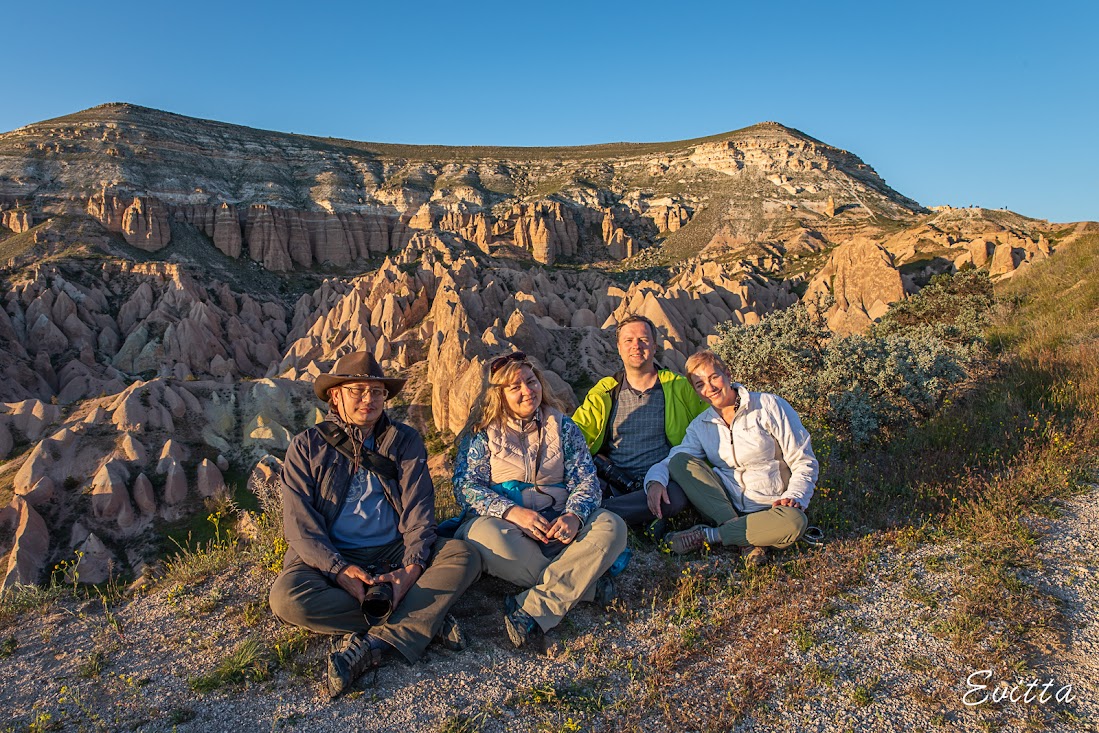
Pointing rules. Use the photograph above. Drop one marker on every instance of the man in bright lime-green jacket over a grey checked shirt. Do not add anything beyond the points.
(632, 420)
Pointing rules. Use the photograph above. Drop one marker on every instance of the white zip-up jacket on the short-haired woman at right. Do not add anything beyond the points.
(765, 457)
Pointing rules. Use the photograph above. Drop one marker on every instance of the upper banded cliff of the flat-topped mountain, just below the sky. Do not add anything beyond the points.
(291, 201)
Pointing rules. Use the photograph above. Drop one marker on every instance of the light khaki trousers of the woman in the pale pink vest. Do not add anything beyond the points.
(554, 585)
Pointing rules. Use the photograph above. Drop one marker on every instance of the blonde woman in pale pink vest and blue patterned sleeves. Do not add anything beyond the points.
(530, 501)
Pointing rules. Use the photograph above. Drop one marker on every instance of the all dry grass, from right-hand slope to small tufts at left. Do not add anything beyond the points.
(983, 473)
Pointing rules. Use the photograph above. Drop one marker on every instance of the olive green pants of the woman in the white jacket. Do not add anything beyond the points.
(779, 527)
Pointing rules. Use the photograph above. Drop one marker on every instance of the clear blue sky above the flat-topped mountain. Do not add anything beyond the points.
(990, 104)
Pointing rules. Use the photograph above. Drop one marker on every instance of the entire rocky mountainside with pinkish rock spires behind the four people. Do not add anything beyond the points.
(174, 285)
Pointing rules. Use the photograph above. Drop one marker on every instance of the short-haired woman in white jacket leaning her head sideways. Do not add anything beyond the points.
(747, 465)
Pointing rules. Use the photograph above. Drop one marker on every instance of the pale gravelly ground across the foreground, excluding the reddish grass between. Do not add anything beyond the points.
(870, 663)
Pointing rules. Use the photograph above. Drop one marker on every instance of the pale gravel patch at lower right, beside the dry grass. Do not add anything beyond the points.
(878, 664)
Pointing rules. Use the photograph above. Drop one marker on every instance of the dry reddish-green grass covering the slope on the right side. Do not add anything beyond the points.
(983, 471)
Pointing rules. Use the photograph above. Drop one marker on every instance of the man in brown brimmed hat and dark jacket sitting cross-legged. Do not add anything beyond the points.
(360, 517)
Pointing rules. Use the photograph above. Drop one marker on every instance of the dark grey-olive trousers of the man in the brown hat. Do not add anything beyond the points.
(303, 596)
